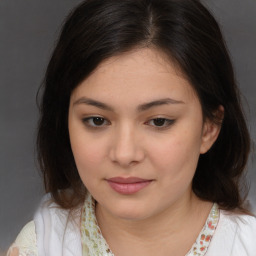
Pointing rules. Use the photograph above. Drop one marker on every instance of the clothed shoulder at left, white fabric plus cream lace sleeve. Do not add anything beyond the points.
(54, 231)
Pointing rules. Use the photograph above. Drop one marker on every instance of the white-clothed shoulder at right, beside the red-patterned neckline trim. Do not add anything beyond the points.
(235, 235)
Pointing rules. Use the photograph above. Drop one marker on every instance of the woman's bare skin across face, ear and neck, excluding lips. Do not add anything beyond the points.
(165, 217)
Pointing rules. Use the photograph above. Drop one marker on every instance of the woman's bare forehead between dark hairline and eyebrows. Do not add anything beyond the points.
(138, 75)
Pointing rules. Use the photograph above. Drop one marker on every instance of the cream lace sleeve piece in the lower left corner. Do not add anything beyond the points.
(25, 243)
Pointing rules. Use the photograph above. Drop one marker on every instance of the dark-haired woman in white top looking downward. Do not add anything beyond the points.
(142, 141)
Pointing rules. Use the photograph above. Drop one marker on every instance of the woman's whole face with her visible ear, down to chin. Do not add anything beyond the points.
(136, 131)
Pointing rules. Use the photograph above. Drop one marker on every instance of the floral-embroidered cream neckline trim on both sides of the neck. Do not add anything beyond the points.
(94, 244)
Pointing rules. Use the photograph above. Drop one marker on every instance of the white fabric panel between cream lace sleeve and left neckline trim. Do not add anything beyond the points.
(57, 229)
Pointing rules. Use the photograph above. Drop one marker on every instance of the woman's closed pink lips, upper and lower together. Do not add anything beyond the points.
(129, 185)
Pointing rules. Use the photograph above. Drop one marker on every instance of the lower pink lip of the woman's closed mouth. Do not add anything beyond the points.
(128, 188)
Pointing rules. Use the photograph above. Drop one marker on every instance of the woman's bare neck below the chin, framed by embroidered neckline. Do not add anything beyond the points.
(169, 225)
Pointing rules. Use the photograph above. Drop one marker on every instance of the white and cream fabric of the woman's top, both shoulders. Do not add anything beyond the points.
(54, 232)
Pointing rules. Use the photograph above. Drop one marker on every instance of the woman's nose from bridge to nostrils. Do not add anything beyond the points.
(126, 147)
